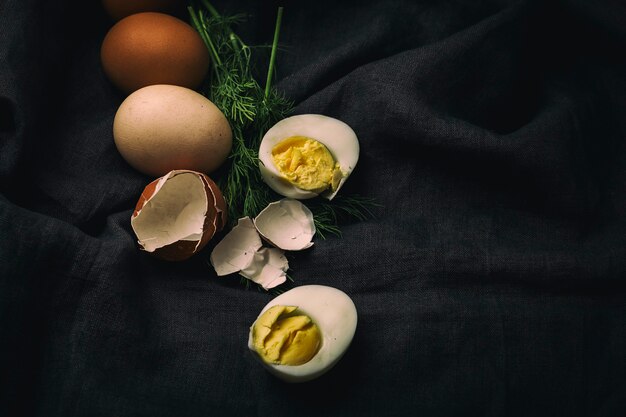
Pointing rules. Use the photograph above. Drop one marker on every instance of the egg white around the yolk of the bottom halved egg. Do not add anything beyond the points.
(336, 317)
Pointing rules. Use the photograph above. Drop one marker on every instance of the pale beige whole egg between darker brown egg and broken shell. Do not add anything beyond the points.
(160, 128)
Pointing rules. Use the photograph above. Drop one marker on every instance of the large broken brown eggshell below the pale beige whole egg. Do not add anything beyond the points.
(178, 214)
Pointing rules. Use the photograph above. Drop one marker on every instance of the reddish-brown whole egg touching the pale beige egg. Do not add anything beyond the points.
(153, 48)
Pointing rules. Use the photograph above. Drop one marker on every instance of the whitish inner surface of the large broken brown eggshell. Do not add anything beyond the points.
(176, 211)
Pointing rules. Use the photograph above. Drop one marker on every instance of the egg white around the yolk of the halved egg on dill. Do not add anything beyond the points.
(336, 135)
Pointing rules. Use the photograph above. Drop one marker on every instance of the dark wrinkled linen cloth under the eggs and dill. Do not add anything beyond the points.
(491, 282)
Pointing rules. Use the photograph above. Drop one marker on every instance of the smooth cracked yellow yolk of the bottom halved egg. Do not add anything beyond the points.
(283, 338)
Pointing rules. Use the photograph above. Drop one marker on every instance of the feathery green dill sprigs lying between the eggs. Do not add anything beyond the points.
(252, 110)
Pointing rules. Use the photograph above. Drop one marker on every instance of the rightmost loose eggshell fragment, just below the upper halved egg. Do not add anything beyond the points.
(287, 224)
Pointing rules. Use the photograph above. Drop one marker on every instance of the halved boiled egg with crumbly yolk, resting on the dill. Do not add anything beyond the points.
(308, 155)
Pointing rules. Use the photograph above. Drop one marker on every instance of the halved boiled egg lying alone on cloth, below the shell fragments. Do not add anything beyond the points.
(302, 333)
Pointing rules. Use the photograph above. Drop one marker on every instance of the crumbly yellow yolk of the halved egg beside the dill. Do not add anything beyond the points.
(306, 163)
